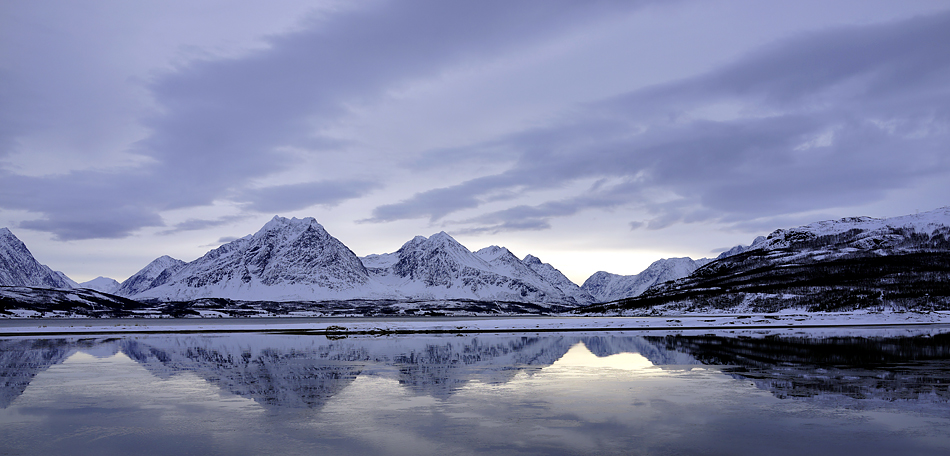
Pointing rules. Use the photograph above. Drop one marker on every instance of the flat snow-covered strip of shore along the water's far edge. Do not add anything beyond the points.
(476, 324)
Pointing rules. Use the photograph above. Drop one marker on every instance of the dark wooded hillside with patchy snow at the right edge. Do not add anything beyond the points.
(901, 263)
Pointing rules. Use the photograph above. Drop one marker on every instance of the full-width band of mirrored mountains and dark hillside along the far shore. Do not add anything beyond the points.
(307, 371)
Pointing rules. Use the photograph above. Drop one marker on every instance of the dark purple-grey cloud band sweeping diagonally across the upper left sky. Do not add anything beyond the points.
(221, 123)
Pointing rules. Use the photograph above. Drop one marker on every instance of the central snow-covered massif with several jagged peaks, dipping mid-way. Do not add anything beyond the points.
(297, 260)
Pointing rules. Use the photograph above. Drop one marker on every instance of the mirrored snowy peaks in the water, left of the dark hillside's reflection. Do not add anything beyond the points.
(292, 371)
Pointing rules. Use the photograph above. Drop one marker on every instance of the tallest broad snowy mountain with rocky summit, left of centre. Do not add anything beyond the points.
(288, 259)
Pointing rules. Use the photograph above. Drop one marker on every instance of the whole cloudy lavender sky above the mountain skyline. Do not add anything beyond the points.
(596, 135)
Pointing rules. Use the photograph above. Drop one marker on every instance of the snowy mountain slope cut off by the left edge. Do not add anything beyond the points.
(19, 268)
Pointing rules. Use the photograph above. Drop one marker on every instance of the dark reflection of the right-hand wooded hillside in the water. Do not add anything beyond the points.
(886, 368)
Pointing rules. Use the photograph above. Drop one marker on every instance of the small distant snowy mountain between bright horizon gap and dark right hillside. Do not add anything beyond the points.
(604, 286)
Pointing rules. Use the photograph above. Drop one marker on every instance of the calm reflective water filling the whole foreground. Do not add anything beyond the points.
(881, 391)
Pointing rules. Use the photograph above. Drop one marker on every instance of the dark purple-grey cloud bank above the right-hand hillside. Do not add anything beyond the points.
(822, 120)
